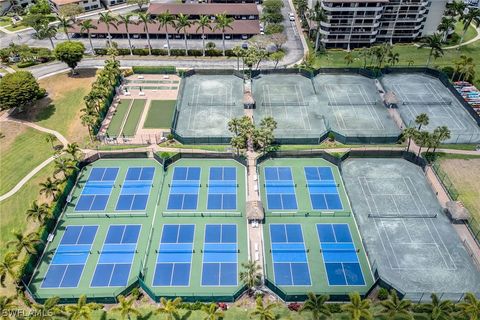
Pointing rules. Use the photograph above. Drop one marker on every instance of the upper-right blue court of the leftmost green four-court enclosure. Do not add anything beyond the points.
(136, 189)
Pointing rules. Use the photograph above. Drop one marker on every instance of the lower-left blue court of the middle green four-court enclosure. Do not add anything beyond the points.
(174, 257)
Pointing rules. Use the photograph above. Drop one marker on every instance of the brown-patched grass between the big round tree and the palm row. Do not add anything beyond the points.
(60, 110)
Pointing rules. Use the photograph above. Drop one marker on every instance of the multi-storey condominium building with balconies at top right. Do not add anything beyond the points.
(358, 23)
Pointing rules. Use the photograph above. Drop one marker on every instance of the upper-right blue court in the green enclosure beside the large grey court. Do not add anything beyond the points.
(322, 188)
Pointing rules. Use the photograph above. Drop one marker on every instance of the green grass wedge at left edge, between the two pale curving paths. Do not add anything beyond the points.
(22, 149)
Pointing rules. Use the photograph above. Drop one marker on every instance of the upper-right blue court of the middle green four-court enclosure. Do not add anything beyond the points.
(222, 188)
